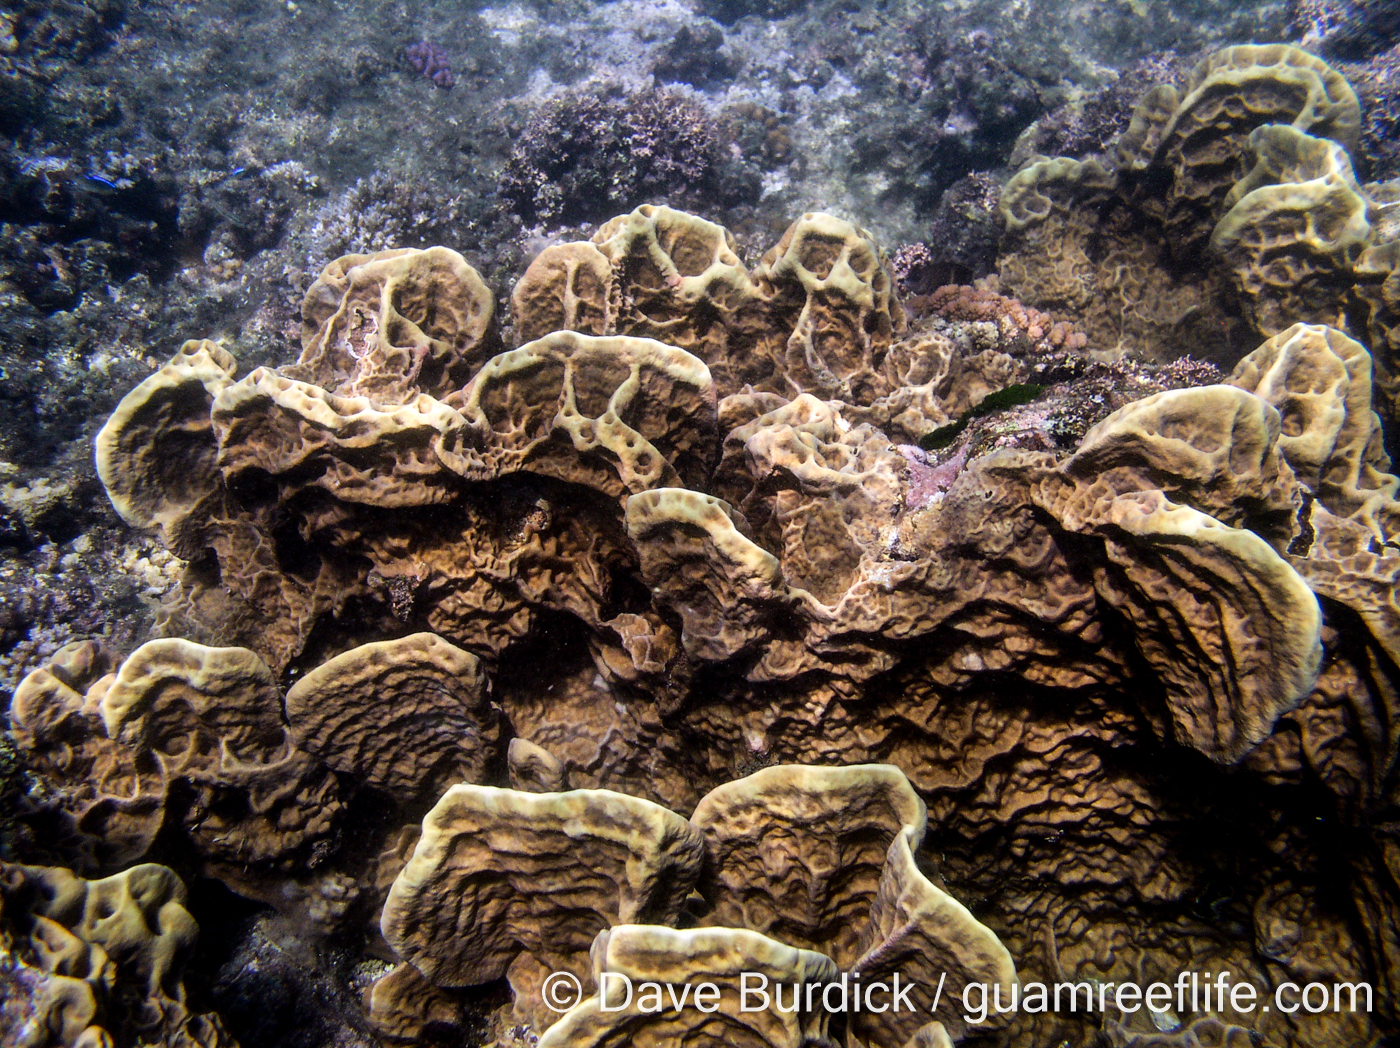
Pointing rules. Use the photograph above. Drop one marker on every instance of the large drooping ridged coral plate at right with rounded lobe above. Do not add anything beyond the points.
(1244, 647)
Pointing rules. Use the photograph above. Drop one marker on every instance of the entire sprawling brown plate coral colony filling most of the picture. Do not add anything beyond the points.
(988, 698)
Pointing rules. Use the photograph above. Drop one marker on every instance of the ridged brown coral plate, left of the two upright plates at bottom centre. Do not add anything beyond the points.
(520, 884)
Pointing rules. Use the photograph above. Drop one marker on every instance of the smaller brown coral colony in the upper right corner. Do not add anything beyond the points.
(1233, 213)
